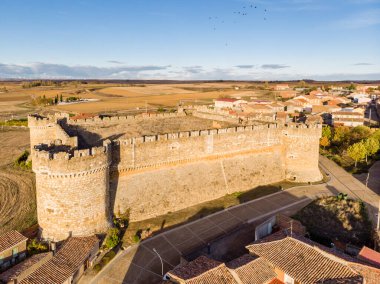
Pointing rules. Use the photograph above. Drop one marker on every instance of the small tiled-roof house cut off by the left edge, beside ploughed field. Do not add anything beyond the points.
(12, 249)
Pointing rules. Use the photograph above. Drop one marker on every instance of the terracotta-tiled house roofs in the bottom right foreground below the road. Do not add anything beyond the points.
(282, 257)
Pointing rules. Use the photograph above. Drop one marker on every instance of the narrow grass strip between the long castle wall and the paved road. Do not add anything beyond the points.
(146, 228)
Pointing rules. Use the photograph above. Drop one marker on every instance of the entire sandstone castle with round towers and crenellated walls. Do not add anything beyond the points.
(88, 170)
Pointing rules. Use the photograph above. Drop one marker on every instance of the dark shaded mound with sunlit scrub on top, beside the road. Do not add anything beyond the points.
(331, 218)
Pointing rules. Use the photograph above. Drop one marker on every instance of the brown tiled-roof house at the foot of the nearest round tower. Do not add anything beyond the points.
(65, 266)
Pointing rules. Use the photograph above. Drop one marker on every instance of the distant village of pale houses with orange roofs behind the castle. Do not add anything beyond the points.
(335, 105)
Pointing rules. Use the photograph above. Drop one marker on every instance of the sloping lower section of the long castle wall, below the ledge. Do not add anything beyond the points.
(167, 189)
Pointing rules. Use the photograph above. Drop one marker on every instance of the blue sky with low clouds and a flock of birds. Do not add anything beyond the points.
(197, 39)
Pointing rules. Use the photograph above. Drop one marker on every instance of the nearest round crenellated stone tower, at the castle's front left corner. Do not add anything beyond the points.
(72, 191)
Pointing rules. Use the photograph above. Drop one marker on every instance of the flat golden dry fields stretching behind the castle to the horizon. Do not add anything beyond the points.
(117, 97)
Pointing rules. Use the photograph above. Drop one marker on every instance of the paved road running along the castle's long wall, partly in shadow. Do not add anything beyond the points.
(140, 264)
